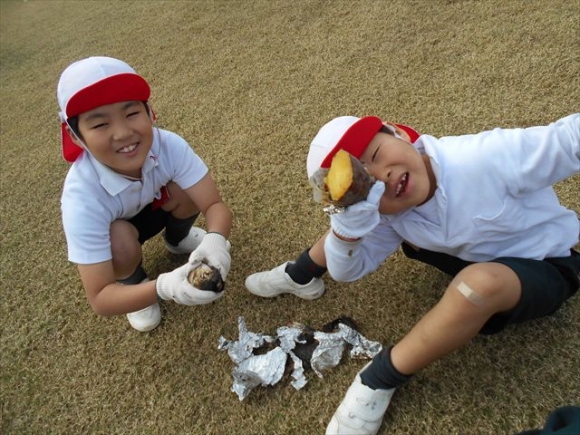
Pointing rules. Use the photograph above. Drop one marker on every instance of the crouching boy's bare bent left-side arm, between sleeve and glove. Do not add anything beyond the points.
(107, 297)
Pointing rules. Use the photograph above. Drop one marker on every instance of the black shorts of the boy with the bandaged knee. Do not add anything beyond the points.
(546, 284)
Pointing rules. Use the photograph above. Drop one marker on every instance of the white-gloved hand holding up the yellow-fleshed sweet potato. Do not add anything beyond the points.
(361, 218)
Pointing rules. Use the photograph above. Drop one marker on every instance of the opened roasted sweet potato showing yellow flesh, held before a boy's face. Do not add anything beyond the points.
(346, 182)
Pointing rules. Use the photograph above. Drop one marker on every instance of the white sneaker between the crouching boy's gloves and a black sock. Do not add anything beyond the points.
(276, 282)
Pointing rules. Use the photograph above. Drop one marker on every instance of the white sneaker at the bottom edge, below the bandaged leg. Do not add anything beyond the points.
(361, 411)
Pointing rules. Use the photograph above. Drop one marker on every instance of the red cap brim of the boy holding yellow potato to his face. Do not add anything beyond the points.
(355, 139)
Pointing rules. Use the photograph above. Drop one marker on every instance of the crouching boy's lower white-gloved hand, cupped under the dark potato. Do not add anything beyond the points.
(175, 286)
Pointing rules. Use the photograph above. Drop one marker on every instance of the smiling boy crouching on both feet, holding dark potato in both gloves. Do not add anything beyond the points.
(130, 180)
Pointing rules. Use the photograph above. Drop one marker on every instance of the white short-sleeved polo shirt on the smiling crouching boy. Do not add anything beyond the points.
(94, 196)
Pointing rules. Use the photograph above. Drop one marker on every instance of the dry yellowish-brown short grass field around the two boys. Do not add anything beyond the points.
(248, 84)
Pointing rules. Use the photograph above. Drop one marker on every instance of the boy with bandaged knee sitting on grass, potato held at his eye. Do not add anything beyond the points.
(478, 207)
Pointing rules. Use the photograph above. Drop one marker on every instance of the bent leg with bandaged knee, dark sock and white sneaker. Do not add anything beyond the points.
(475, 294)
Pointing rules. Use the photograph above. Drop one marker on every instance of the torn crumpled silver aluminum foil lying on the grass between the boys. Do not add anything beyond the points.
(263, 359)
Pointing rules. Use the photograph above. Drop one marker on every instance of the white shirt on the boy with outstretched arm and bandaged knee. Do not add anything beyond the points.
(494, 198)
